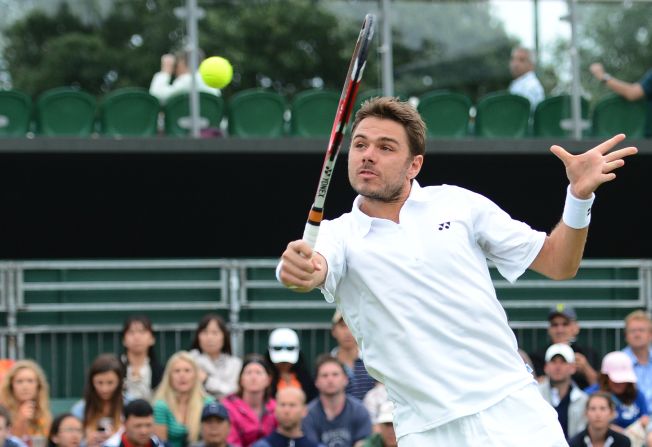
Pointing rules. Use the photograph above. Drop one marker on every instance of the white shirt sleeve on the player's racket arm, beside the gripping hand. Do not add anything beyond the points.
(331, 247)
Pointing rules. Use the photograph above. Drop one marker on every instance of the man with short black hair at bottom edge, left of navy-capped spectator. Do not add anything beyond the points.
(138, 427)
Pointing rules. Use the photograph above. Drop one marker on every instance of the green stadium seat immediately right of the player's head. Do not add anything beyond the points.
(446, 114)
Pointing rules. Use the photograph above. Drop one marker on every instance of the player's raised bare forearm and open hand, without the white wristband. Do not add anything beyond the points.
(561, 253)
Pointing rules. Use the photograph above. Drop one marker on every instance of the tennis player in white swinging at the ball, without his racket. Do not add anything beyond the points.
(407, 267)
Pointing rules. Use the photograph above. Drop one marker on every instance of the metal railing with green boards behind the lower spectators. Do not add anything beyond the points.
(253, 303)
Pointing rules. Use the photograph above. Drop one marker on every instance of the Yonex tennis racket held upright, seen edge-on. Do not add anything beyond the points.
(344, 109)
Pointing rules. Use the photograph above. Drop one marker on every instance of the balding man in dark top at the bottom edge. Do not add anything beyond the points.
(290, 411)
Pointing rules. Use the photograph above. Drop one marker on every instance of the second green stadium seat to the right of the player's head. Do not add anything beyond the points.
(502, 115)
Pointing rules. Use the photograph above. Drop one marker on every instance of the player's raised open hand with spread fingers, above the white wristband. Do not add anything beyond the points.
(594, 167)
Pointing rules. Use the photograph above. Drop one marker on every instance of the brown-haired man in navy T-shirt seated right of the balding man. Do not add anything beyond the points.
(334, 418)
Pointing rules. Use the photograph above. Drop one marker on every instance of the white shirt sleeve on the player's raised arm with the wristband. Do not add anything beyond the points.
(512, 245)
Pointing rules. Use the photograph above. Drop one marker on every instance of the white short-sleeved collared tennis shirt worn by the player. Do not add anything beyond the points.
(418, 298)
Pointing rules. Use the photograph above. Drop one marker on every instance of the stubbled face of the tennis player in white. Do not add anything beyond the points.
(380, 163)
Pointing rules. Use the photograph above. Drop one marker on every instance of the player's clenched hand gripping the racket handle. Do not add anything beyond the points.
(302, 269)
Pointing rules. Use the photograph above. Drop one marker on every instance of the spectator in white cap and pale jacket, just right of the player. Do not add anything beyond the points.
(559, 390)
